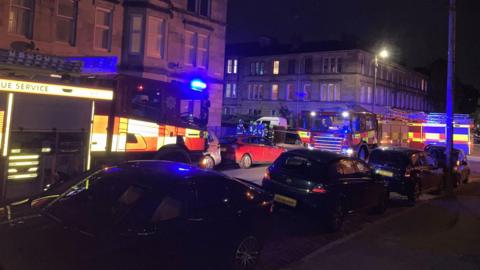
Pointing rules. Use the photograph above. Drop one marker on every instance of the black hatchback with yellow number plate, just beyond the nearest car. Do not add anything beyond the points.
(330, 184)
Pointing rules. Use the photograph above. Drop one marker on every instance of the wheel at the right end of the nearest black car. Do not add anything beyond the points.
(247, 253)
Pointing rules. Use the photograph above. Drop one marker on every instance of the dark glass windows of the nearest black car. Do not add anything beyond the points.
(114, 199)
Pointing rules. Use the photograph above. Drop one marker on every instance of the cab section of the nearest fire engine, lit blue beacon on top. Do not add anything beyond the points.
(150, 119)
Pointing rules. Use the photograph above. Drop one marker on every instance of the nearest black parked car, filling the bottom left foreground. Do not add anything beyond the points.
(139, 215)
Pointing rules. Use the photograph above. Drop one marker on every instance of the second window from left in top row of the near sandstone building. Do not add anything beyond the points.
(65, 27)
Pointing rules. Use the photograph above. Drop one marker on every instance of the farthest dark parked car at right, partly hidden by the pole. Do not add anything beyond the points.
(459, 163)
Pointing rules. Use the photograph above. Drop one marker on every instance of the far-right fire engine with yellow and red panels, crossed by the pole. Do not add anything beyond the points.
(427, 129)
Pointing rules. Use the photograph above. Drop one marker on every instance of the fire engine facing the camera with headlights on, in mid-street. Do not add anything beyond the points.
(351, 131)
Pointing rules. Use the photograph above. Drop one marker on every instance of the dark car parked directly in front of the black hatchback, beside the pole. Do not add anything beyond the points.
(407, 171)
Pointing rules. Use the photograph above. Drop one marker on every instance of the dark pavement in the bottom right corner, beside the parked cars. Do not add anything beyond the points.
(437, 234)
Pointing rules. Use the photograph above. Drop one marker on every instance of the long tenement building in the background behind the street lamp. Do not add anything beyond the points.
(270, 85)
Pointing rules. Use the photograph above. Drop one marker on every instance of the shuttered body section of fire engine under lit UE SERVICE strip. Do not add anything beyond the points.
(45, 133)
